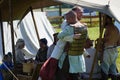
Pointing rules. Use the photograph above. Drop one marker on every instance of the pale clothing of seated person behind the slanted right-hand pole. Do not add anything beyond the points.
(88, 62)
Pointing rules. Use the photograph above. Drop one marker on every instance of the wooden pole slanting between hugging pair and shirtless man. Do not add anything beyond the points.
(97, 47)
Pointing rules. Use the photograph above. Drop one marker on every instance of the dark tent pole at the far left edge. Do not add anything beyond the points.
(2, 33)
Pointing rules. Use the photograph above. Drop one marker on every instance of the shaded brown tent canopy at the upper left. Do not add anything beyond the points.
(18, 10)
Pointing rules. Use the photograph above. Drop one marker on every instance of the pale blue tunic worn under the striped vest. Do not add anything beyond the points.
(77, 62)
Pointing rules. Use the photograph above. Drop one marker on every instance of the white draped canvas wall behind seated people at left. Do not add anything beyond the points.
(26, 31)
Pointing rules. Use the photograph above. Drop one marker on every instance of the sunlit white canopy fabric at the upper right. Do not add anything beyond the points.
(112, 10)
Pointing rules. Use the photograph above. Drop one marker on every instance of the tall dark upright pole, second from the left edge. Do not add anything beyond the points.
(12, 30)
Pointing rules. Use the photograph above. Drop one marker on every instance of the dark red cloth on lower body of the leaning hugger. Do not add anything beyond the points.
(47, 71)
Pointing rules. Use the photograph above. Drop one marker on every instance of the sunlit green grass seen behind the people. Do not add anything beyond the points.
(93, 33)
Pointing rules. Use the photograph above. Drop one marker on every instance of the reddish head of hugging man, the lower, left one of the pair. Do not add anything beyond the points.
(71, 17)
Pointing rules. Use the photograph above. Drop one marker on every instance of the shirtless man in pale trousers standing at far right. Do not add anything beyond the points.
(111, 37)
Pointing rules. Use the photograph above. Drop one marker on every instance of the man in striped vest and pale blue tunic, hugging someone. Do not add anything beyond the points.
(76, 39)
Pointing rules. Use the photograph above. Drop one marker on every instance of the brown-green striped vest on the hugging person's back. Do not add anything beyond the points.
(77, 46)
